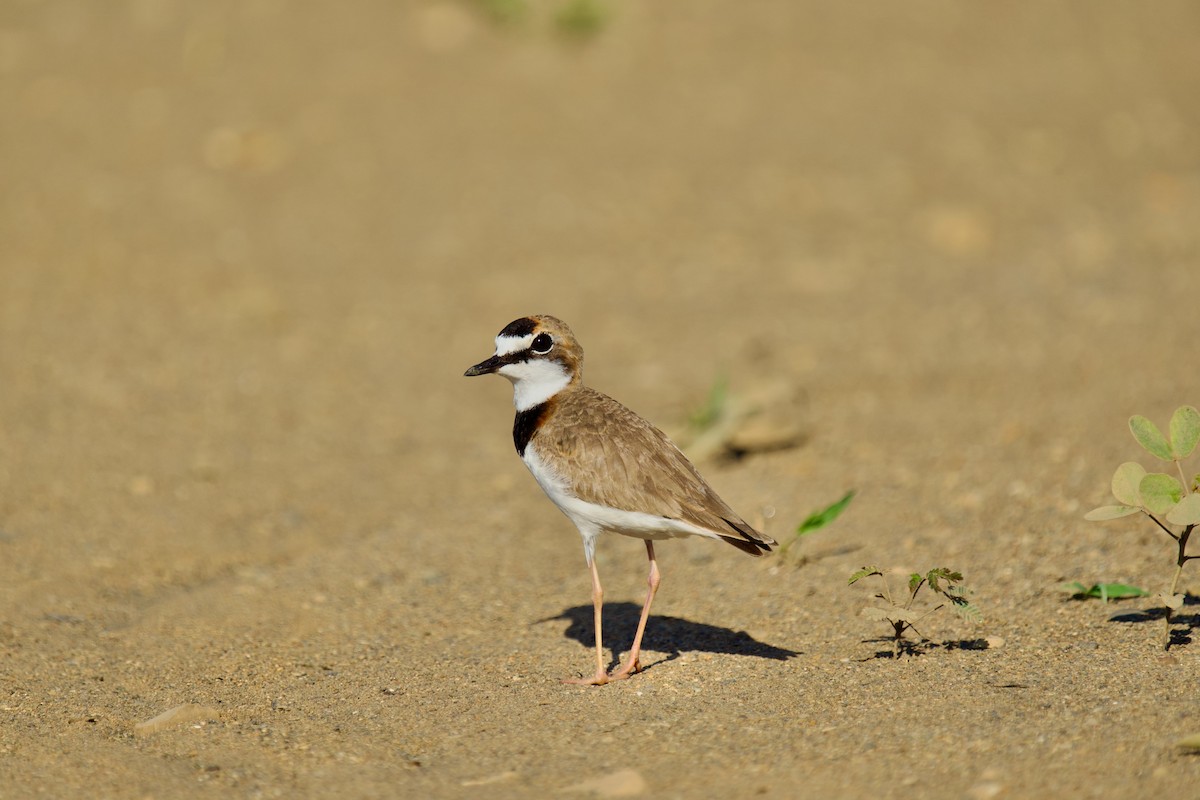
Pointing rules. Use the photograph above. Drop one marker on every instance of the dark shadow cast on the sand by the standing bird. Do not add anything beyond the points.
(669, 635)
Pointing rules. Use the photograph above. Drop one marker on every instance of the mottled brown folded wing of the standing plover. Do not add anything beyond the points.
(637, 467)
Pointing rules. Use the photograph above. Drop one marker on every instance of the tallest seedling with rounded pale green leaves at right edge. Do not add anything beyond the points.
(1173, 504)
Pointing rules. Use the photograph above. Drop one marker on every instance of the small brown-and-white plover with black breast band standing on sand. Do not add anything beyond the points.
(605, 467)
